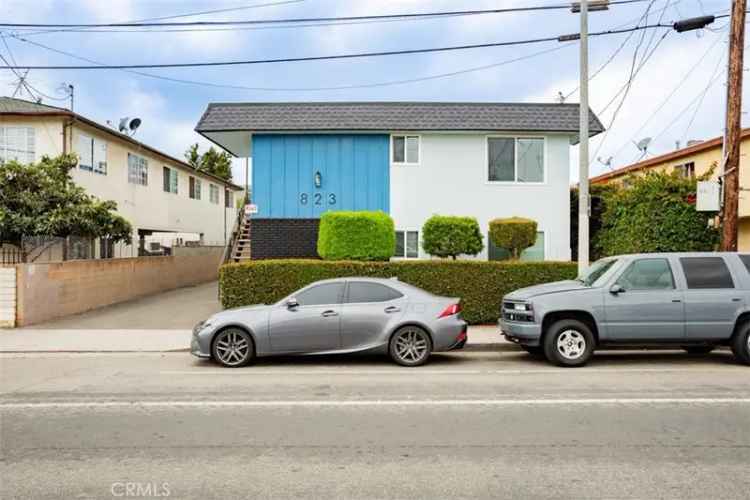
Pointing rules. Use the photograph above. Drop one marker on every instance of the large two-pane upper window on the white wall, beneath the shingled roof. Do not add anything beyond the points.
(515, 159)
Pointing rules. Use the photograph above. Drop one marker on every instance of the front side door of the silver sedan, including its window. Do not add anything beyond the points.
(314, 325)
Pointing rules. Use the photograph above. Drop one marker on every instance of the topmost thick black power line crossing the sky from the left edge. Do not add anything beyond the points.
(303, 20)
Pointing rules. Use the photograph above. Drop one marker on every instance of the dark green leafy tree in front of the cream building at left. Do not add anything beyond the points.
(40, 199)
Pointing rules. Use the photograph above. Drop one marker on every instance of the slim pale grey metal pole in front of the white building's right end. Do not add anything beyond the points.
(583, 151)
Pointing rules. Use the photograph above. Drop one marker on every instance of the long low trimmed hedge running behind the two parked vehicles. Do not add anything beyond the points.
(481, 285)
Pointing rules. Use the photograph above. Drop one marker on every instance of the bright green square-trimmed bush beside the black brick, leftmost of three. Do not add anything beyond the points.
(356, 236)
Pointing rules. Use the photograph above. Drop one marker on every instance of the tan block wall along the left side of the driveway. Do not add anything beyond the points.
(53, 290)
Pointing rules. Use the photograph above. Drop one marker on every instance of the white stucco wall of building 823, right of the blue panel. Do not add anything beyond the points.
(451, 179)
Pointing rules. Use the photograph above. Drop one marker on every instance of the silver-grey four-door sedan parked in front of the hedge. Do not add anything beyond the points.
(343, 315)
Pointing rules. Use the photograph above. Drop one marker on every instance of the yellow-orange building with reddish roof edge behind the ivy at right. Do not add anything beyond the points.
(694, 161)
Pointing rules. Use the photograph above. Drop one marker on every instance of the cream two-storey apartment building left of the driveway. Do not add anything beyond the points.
(163, 198)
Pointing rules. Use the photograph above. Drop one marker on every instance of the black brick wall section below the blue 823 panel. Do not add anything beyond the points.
(284, 238)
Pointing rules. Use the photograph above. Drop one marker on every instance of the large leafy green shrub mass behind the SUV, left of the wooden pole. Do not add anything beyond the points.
(655, 212)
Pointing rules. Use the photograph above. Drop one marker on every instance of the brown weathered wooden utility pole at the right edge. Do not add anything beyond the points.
(733, 127)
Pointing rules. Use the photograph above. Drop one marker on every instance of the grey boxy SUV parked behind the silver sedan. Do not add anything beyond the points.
(696, 301)
